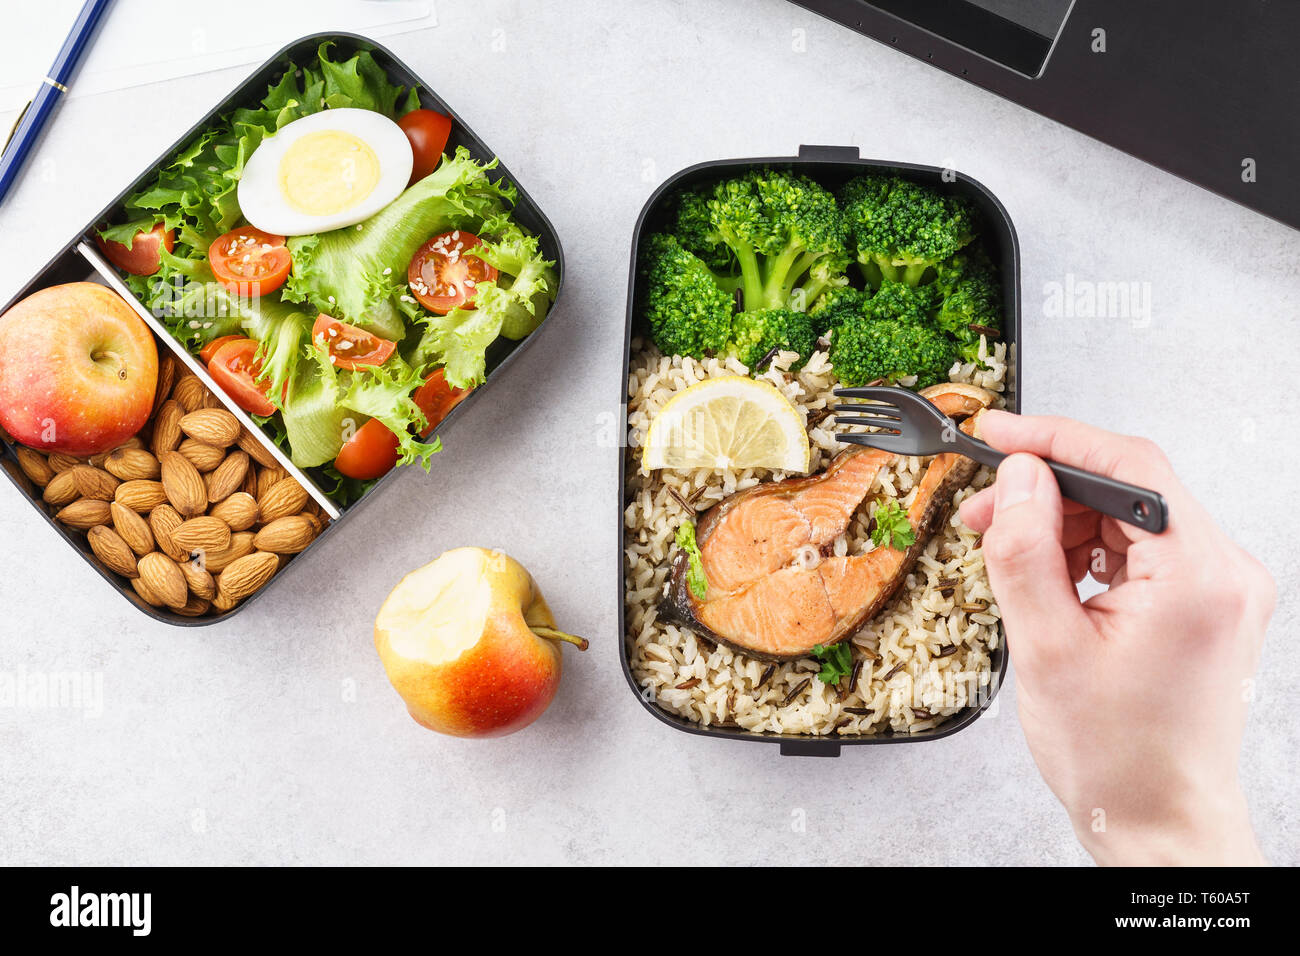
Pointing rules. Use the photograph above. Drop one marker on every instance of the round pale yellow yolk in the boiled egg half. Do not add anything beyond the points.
(328, 172)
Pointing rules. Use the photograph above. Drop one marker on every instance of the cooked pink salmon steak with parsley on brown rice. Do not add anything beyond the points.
(775, 590)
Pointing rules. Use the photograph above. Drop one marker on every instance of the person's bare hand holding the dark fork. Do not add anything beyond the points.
(1133, 702)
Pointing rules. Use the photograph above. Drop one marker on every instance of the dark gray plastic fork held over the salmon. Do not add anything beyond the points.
(916, 427)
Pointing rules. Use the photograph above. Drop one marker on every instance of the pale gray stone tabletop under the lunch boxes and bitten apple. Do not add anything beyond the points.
(246, 743)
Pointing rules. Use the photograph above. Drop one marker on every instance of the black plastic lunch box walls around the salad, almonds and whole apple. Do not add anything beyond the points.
(68, 266)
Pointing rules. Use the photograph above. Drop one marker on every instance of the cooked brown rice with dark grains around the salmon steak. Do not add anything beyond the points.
(911, 680)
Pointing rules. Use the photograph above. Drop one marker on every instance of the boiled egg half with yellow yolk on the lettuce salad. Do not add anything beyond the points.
(327, 171)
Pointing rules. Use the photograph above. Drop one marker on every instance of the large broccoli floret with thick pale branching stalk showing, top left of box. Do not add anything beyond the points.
(786, 233)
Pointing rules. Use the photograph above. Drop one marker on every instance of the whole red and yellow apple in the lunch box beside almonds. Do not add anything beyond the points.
(77, 370)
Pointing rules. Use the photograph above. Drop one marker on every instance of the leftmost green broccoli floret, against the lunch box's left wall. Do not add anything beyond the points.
(687, 312)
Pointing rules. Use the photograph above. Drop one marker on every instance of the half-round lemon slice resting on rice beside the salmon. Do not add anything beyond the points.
(727, 423)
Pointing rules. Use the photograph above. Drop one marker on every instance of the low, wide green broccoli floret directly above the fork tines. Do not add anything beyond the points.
(868, 351)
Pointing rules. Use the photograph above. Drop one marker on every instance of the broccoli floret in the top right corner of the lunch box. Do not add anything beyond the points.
(902, 228)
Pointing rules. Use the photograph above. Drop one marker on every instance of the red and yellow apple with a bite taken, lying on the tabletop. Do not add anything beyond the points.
(471, 646)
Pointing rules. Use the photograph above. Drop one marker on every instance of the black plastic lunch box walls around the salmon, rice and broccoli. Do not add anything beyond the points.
(830, 166)
